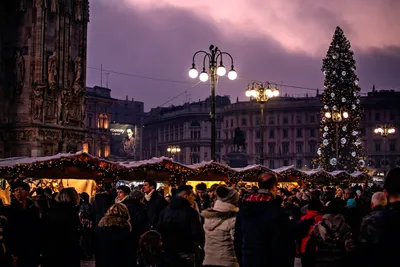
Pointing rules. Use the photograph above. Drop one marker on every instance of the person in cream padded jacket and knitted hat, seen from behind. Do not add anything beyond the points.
(219, 228)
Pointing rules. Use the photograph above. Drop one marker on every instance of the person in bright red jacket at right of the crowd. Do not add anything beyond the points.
(306, 225)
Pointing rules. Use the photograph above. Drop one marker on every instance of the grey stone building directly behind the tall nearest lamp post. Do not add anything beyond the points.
(187, 126)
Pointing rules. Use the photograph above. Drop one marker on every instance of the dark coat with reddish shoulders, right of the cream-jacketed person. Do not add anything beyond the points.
(262, 232)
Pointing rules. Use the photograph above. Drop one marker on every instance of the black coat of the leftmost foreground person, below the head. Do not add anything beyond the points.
(24, 228)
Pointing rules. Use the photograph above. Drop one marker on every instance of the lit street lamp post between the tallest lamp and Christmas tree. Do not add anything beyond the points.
(262, 92)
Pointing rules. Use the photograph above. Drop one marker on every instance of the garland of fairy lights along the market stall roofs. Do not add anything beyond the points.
(177, 173)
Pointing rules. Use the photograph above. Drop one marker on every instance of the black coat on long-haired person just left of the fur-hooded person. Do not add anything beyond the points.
(63, 230)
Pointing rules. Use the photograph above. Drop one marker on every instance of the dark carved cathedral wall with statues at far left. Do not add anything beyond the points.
(42, 76)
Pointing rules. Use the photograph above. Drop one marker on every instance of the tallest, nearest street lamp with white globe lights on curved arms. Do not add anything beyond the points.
(212, 70)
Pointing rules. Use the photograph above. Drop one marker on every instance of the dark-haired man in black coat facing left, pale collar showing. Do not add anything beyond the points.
(154, 202)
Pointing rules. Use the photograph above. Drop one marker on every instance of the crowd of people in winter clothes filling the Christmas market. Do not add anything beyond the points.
(218, 226)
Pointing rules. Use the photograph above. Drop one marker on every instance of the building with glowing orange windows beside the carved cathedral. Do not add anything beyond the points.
(98, 120)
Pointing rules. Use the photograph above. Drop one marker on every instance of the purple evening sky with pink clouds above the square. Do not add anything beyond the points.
(282, 41)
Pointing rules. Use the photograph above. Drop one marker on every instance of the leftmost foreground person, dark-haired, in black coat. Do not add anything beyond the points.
(24, 227)
